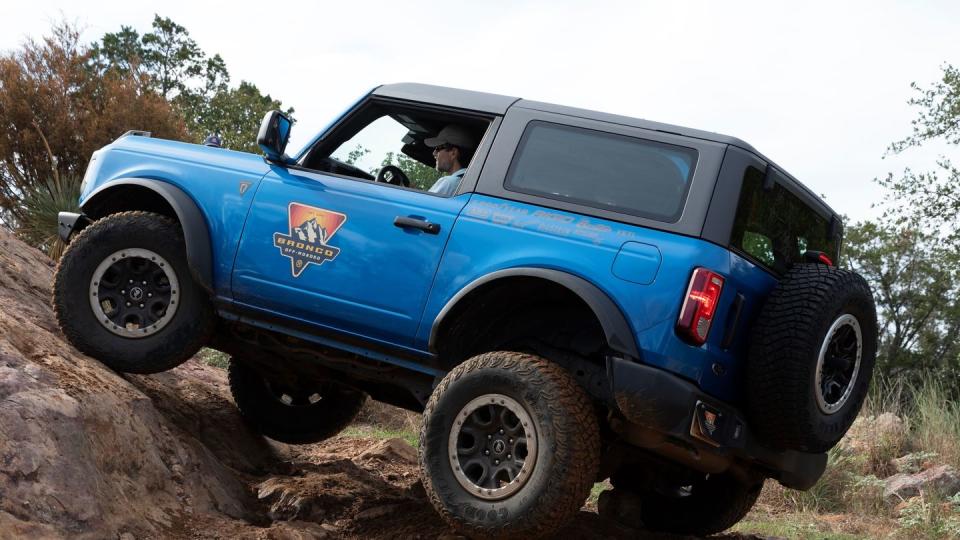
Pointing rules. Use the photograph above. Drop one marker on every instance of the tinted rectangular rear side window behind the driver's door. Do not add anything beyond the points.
(603, 170)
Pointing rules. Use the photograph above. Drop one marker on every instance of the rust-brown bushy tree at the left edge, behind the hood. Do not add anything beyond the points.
(55, 115)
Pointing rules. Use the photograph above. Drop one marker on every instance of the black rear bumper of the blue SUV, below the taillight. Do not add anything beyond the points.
(672, 417)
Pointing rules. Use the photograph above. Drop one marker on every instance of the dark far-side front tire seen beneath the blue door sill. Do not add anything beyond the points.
(292, 417)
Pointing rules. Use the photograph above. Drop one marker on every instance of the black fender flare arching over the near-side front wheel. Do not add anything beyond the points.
(196, 234)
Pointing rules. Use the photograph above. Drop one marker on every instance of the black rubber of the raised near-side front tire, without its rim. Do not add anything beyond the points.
(188, 329)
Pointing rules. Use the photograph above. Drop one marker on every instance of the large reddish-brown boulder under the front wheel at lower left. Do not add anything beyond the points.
(83, 451)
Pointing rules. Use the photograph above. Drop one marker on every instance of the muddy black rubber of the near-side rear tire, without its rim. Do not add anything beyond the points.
(567, 455)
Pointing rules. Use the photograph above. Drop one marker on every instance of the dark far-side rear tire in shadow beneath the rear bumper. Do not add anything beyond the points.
(713, 504)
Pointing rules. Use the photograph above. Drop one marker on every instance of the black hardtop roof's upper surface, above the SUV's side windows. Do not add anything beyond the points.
(498, 104)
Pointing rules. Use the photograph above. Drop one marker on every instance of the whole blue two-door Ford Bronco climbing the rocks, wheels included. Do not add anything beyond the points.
(593, 297)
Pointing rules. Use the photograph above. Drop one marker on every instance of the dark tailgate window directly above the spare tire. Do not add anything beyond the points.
(774, 227)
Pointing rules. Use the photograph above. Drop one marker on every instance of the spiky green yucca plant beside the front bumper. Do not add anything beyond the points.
(38, 224)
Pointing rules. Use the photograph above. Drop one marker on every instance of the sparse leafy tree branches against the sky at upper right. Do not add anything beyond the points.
(930, 199)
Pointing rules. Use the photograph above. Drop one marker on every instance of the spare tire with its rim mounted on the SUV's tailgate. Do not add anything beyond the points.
(811, 358)
